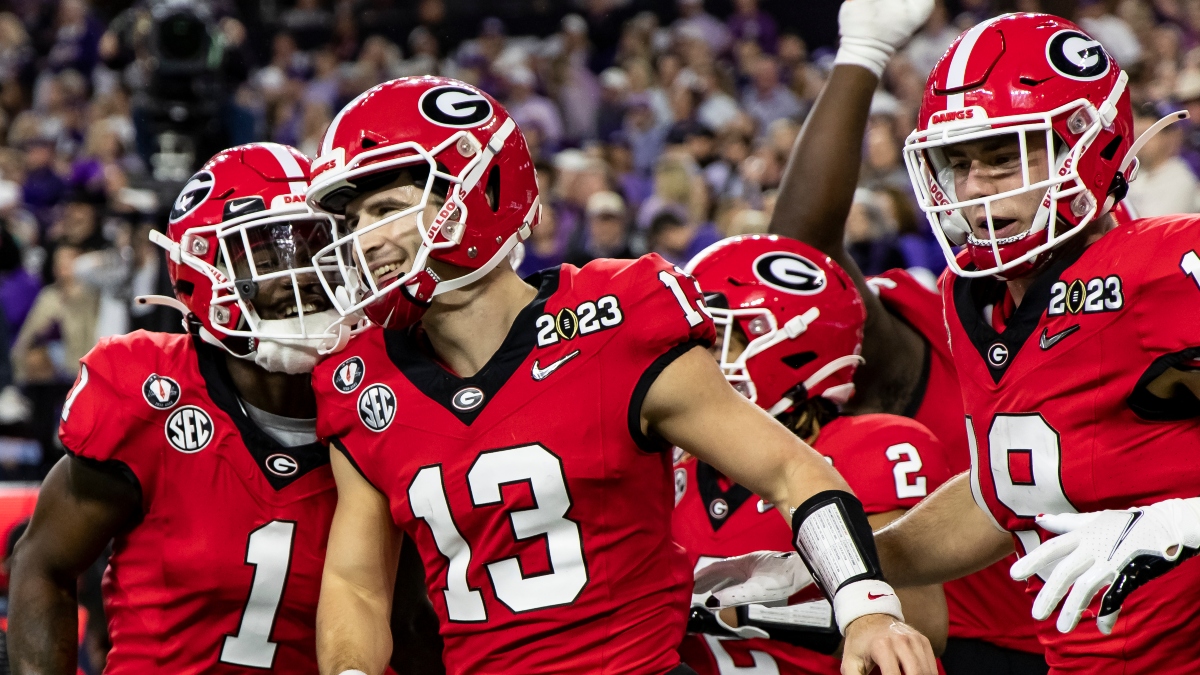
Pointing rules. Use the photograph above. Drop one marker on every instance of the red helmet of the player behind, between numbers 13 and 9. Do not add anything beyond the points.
(799, 310)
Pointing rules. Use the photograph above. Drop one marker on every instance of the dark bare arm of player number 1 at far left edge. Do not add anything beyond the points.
(80, 509)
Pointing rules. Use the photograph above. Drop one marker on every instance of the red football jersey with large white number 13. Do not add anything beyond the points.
(541, 510)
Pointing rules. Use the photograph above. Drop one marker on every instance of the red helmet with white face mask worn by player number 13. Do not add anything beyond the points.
(469, 145)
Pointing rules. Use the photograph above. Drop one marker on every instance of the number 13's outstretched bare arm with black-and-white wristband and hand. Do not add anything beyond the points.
(692, 407)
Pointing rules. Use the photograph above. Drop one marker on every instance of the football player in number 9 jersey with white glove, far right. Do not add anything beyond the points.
(1073, 337)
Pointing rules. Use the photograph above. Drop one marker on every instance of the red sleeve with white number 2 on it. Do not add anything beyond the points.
(891, 462)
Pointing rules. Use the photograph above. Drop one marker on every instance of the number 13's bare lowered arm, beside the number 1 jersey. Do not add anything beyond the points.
(355, 613)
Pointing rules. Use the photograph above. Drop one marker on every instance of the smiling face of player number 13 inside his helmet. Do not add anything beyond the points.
(392, 248)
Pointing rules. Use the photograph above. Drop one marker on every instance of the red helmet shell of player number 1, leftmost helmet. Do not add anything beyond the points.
(247, 183)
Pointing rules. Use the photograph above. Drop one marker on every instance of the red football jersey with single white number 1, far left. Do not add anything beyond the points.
(224, 570)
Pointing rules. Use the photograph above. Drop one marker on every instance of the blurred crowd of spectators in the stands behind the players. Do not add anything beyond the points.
(655, 130)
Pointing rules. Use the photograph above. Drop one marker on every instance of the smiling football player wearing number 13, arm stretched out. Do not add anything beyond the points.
(519, 431)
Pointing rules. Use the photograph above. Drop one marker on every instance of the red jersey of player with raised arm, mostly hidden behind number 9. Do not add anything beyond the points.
(986, 606)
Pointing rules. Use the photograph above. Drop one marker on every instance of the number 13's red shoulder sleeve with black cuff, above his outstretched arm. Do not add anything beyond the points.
(664, 319)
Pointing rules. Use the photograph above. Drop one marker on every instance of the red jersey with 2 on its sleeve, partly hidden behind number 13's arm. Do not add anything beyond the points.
(890, 462)
